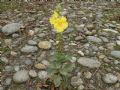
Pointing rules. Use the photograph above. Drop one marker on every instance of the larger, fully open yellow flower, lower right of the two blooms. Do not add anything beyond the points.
(60, 24)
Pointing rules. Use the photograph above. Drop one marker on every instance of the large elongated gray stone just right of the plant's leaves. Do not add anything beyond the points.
(88, 62)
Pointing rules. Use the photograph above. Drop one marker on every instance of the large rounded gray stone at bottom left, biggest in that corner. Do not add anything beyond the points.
(21, 76)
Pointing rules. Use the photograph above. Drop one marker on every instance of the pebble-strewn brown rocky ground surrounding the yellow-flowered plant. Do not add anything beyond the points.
(27, 41)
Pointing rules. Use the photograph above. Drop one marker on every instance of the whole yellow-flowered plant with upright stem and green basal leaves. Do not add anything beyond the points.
(60, 67)
